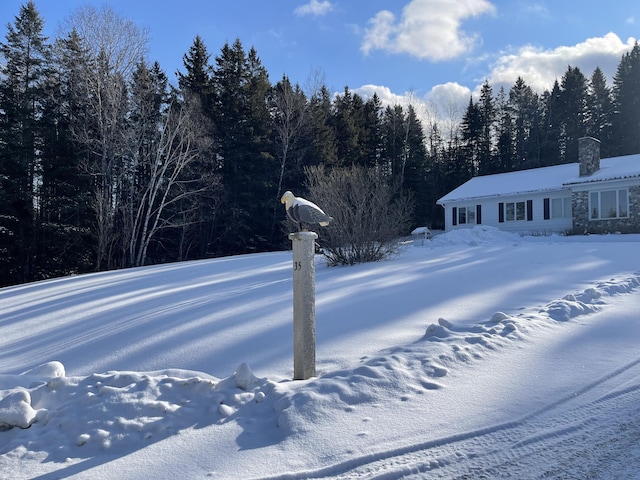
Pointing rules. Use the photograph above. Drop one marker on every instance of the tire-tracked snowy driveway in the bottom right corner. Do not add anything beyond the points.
(523, 448)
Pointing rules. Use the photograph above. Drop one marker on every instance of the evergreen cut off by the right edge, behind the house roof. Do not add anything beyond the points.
(626, 99)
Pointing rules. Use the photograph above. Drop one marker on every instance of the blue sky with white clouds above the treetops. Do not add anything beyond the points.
(431, 52)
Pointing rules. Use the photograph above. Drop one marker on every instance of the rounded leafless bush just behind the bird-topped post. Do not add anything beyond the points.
(369, 214)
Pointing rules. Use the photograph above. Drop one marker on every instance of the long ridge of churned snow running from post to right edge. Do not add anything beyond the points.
(423, 366)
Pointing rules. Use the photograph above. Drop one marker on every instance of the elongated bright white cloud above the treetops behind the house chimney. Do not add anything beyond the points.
(540, 68)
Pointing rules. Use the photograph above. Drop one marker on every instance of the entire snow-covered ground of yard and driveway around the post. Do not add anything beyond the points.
(480, 355)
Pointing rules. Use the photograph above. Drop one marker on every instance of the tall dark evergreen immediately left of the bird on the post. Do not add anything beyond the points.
(244, 146)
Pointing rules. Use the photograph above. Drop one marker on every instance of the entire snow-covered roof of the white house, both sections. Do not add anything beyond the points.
(543, 179)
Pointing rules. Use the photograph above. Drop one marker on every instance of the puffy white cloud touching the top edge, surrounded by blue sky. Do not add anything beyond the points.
(428, 29)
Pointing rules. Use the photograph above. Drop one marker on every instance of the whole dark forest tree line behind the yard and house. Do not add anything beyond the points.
(105, 164)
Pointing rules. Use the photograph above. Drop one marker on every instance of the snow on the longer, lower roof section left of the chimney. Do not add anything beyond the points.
(512, 183)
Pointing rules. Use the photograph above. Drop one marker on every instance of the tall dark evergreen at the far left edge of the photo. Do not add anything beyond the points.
(22, 78)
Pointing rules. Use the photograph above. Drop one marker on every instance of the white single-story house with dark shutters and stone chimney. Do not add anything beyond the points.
(594, 195)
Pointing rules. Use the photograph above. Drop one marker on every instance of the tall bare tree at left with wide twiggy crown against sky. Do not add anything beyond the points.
(114, 45)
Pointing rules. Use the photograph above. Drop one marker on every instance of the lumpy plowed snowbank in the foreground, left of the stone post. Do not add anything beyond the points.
(85, 415)
